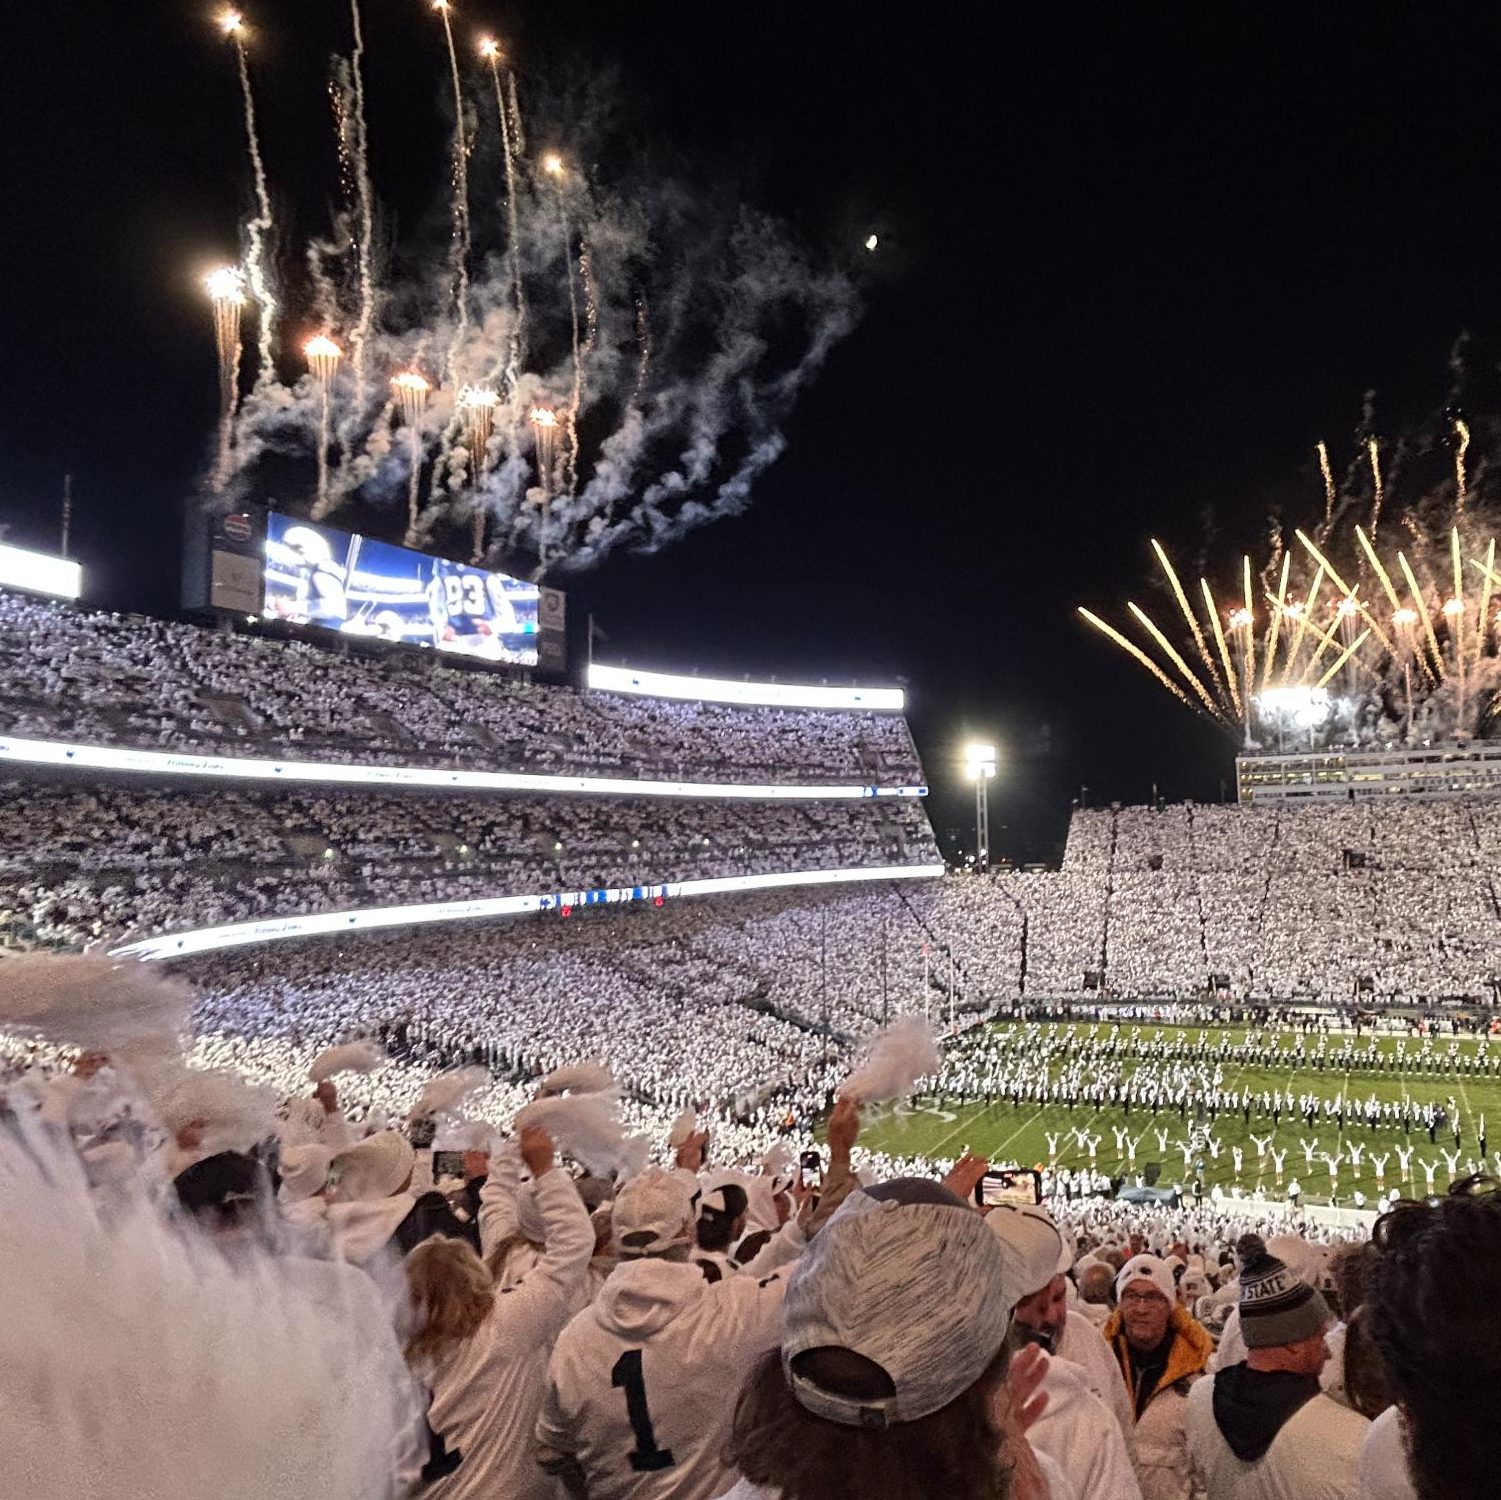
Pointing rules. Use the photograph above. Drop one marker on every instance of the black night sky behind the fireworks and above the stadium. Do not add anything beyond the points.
(1137, 261)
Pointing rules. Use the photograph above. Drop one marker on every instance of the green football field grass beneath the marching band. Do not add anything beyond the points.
(1018, 1134)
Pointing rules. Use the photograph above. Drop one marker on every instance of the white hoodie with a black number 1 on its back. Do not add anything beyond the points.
(643, 1385)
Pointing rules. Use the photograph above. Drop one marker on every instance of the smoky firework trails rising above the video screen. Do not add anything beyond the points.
(678, 456)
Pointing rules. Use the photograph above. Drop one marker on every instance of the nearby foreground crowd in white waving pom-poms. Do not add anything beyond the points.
(217, 1288)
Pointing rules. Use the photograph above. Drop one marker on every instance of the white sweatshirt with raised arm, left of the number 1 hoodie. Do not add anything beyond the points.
(487, 1391)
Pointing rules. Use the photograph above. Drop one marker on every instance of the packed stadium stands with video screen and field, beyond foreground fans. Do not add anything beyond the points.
(510, 869)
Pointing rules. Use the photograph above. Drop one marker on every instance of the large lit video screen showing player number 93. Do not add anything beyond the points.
(349, 583)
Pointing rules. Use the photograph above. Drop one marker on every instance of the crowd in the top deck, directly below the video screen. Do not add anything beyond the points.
(115, 679)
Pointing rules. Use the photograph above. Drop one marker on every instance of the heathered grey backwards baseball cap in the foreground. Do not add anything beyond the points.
(912, 1283)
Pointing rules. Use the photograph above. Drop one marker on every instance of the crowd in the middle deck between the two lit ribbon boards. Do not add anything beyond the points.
(88, 864)
